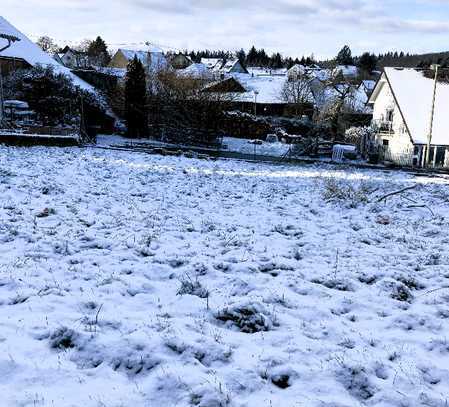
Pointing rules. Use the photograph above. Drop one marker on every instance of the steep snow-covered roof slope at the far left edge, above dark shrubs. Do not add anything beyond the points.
(28, 51)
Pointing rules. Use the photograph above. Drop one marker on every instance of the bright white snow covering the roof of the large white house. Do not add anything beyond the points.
(414, 94)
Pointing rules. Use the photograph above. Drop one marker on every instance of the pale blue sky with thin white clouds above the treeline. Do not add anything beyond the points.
(292, 27)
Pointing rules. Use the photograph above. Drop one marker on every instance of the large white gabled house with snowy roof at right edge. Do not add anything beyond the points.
(402, 105)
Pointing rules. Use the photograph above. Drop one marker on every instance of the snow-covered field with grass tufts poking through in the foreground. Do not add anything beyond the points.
(134, 280)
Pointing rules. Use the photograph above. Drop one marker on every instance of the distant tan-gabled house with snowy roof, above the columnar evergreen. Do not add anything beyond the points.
(152, 59)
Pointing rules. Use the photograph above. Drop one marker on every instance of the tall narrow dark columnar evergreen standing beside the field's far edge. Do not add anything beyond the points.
(136, 99)
